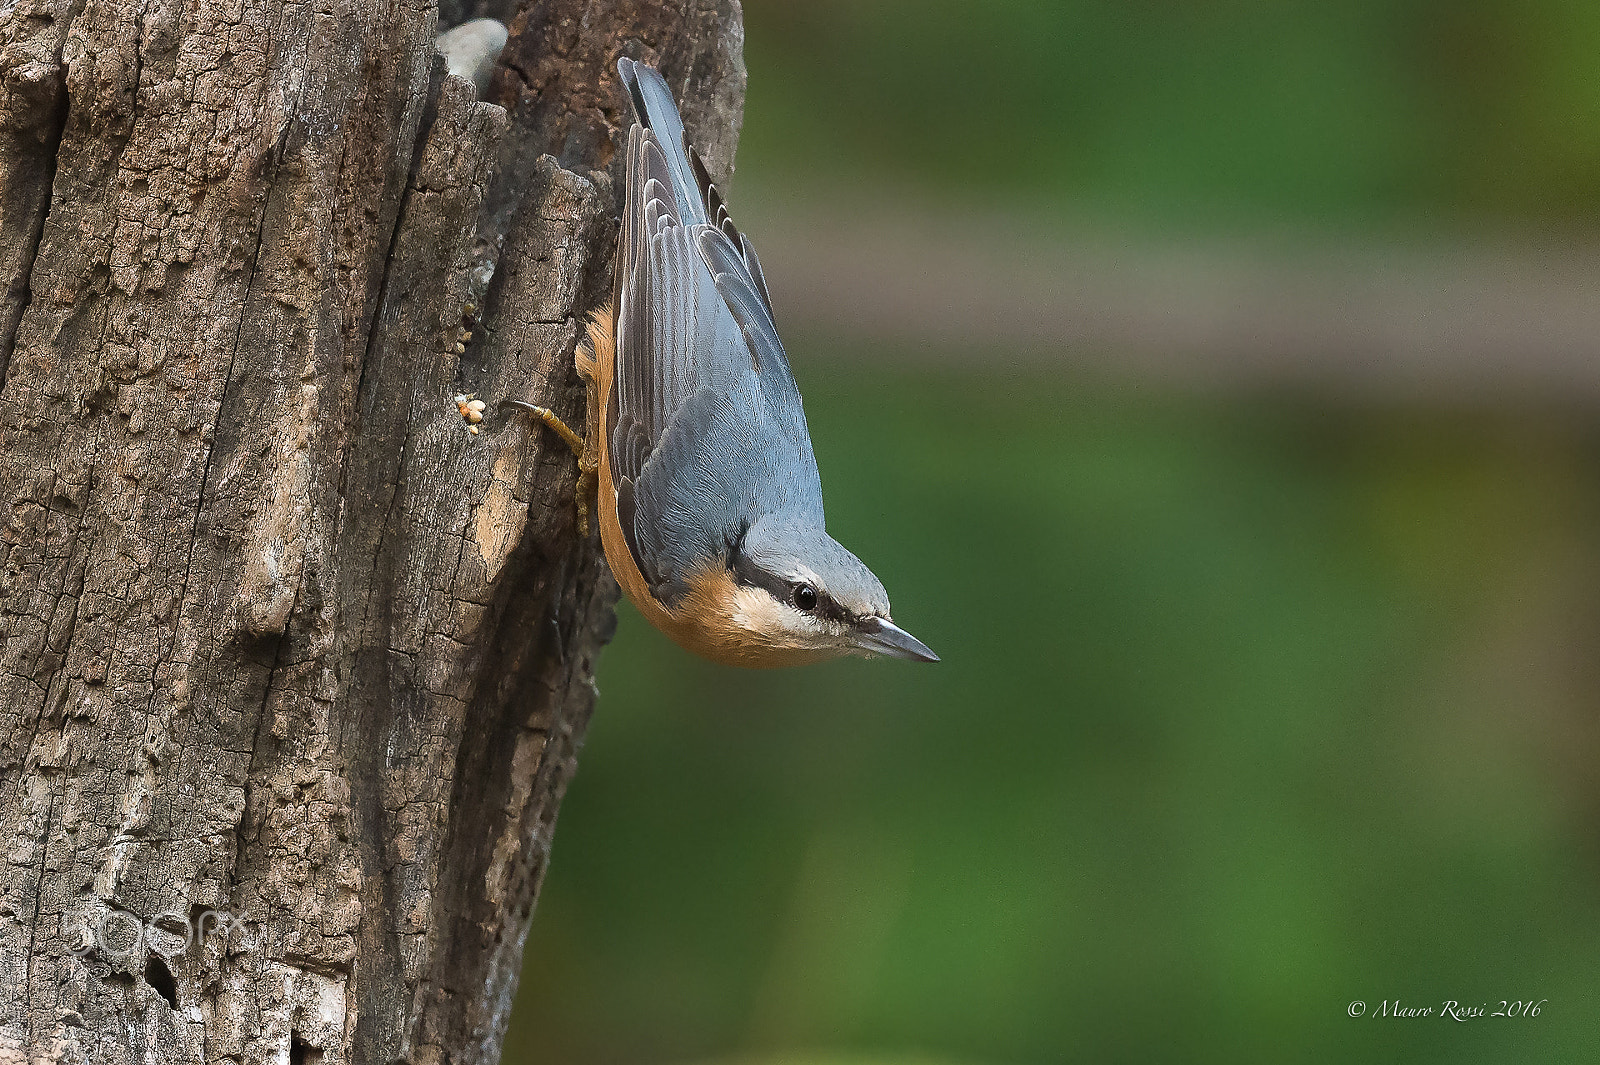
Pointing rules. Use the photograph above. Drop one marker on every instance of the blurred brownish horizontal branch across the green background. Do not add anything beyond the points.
(1438, 319)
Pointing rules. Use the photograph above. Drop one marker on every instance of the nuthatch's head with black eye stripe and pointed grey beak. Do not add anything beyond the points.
(791, 594)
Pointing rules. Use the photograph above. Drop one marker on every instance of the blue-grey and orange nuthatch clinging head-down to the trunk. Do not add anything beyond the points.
(711, 506)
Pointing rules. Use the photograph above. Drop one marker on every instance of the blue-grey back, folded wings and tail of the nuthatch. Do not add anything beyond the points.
(706, 426)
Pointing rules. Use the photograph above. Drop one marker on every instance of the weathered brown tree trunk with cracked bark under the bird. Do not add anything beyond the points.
(279, 637)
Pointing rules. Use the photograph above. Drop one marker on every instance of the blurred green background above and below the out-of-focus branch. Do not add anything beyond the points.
(1255, 701)
